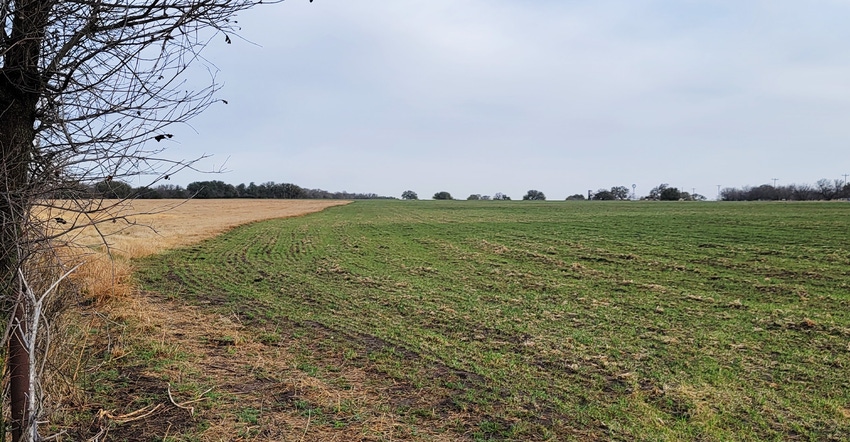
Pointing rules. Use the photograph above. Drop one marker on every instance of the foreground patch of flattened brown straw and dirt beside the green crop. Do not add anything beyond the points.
(255, 387)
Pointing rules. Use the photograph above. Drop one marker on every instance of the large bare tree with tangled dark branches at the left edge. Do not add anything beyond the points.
(88, 90)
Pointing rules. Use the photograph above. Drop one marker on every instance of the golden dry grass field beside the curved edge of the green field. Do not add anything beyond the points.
(145, 227)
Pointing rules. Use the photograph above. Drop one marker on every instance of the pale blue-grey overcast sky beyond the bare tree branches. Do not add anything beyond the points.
(486, 96)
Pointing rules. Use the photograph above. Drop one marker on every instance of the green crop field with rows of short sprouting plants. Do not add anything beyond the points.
(559, 320)
